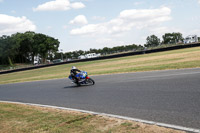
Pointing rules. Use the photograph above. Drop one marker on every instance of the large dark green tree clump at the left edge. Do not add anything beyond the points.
(24, 47)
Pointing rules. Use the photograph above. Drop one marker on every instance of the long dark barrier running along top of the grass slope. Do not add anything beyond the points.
(107, 57)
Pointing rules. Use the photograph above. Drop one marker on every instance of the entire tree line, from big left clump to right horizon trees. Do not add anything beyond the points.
(24, 47)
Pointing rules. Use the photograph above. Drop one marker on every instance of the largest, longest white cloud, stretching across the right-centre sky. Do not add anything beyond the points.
(126, 21)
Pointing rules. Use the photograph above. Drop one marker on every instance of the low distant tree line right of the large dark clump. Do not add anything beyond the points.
(151, 41)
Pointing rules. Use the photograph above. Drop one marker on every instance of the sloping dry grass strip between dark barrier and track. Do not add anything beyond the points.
(176, 59)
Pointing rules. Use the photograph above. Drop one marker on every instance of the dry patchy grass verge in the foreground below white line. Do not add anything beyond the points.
(23, 118)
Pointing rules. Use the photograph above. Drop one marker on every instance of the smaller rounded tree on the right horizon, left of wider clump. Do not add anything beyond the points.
(152, 41)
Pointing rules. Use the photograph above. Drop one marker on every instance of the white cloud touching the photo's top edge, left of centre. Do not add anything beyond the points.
(59, 5)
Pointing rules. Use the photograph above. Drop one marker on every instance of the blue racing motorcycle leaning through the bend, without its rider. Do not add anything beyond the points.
(83, 79)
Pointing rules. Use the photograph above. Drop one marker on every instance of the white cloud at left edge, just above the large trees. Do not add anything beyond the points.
(10, 24)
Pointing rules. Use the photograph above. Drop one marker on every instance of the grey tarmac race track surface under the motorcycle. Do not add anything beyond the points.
(170, 96)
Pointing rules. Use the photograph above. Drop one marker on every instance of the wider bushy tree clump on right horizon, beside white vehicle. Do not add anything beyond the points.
(172, 38)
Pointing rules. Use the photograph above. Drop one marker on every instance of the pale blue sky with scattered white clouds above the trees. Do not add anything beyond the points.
(85, 24)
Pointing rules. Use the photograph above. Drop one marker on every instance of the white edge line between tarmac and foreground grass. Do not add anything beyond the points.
(111, 115)
